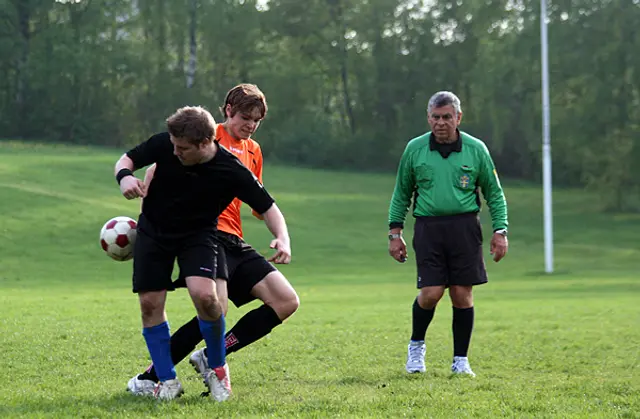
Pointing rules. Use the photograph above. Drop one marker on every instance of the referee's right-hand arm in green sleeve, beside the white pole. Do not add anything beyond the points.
(494, 195)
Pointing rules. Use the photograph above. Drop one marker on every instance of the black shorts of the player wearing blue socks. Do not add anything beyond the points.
(154, 255)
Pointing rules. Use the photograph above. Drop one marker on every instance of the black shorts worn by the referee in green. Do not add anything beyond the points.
(448, 250)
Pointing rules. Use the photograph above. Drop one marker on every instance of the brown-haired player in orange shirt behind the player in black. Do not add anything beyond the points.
(241, 271)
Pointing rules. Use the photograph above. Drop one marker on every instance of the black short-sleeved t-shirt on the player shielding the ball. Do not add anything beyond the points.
(182, 199)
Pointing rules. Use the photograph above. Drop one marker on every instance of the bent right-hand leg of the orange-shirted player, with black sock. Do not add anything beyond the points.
(280, 302)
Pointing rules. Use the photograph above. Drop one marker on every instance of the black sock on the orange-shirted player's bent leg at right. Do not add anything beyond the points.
(252, 326)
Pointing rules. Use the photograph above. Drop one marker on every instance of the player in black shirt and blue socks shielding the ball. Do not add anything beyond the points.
(195, 180)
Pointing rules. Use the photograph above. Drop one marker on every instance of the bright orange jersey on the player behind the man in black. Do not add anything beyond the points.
(250, 154)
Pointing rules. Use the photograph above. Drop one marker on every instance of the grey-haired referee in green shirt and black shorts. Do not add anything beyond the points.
(442, 171)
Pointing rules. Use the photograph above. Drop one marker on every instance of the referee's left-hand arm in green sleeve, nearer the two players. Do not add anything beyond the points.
(400, 201)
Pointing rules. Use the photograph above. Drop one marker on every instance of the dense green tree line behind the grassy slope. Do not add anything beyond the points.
(347, 81)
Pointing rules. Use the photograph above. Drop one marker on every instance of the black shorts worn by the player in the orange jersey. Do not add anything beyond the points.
(240, 265)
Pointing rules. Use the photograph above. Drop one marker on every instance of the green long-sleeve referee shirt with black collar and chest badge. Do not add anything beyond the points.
(448, 186)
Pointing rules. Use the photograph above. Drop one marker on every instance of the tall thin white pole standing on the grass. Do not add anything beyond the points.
(546, 143)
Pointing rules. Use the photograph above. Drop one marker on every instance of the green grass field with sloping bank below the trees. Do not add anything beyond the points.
(564, 345)
